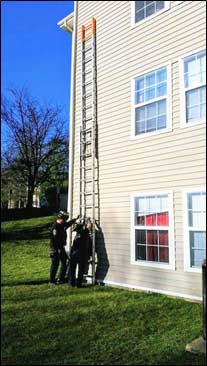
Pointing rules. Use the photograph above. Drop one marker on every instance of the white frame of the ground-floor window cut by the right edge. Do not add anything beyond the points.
(186, 230)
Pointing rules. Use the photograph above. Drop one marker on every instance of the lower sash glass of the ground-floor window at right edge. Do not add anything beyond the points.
(197, 248)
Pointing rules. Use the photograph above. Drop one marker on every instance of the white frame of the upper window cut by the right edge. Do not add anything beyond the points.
(183, 123)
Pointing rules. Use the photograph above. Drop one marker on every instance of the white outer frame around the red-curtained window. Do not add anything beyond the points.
(171, 241)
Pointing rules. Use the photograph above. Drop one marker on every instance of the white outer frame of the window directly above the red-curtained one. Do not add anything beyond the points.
(168, 103)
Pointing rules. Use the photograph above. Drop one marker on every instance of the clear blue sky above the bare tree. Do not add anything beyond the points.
(36, 53)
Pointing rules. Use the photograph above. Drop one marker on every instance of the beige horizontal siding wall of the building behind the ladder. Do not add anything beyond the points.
(169, 161)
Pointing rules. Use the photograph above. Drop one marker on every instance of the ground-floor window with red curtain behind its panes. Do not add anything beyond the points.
(152, 229)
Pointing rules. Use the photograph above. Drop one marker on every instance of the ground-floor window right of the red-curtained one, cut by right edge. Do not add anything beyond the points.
(196, 237)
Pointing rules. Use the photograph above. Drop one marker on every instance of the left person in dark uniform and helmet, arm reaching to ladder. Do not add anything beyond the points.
(58, 237)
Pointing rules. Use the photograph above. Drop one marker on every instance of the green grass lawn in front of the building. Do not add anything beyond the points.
(98, 325)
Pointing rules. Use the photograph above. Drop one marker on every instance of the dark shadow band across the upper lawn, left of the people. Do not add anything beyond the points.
(40, 232)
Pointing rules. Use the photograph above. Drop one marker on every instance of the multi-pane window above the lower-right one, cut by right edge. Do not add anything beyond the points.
(194, 88)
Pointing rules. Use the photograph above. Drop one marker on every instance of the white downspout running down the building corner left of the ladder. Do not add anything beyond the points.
(72, 119)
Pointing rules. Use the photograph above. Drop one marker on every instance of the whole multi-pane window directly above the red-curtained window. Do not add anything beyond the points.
(151, 102)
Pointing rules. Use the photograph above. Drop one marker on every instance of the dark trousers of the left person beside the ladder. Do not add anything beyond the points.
(56, 258)
